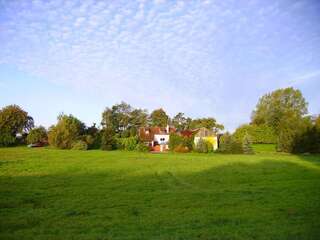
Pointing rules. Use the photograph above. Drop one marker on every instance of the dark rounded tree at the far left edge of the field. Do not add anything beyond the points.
(13, 120)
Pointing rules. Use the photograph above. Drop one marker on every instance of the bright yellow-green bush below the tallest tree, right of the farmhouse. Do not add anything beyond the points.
(257, 133)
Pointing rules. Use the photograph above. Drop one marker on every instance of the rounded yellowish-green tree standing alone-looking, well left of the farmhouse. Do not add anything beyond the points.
(65, 132)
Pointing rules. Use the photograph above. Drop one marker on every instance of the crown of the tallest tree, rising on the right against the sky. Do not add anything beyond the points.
(273, 107)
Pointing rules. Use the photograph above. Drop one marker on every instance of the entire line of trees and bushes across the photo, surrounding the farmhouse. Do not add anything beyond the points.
(280, 117)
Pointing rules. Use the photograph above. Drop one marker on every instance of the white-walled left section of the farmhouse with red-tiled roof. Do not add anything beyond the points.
(157, 138)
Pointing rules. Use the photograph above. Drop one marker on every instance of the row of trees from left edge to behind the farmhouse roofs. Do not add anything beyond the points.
(118, 129)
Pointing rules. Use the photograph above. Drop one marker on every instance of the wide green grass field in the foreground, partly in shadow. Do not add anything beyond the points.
(64, 194)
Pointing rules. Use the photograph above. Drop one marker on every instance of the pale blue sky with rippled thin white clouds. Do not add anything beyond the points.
(204, 58)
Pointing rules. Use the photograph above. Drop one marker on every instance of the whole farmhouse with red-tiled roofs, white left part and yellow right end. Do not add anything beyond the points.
(157, 138)
